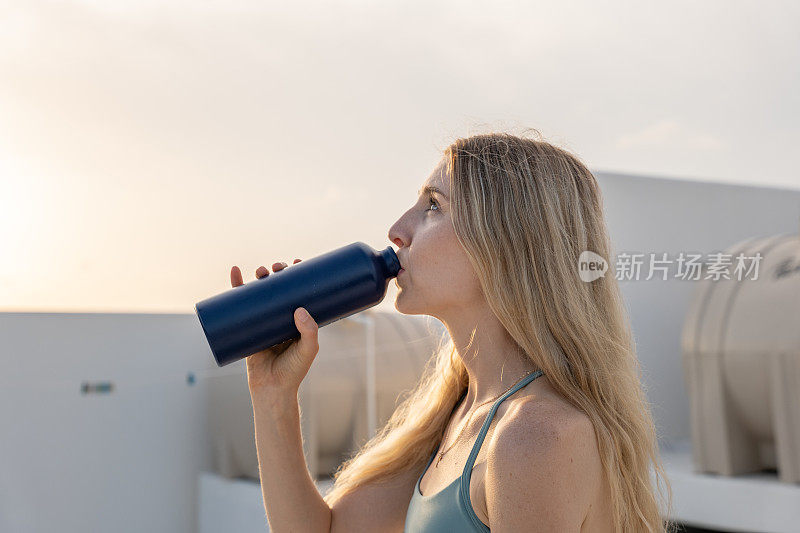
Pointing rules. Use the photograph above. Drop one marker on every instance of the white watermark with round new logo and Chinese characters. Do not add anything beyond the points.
(687, 266)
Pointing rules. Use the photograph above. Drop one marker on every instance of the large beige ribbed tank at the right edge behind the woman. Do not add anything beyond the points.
(741, 354)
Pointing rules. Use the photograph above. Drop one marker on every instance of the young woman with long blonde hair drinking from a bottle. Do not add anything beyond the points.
(531, 416)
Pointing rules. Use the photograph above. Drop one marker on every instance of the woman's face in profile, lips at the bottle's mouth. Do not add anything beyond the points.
(437, 278)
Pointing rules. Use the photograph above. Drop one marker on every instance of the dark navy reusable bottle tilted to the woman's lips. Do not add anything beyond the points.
(260, 314)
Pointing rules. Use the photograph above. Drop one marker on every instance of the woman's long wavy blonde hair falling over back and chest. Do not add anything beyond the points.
(524, 210)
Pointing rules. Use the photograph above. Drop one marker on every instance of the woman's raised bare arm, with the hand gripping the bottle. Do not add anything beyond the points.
(291, 498)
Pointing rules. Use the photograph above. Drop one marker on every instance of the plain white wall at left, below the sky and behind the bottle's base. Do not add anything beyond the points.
(125, 461)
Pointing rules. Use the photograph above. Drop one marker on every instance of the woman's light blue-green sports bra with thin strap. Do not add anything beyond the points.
(450, 509)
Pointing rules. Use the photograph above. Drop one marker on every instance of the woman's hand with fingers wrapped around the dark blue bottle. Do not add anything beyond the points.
(281, 368)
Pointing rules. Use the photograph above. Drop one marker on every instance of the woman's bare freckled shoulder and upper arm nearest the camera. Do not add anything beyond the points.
(543, 467)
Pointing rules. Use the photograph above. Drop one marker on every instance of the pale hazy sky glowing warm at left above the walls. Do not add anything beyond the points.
(148, 146)
